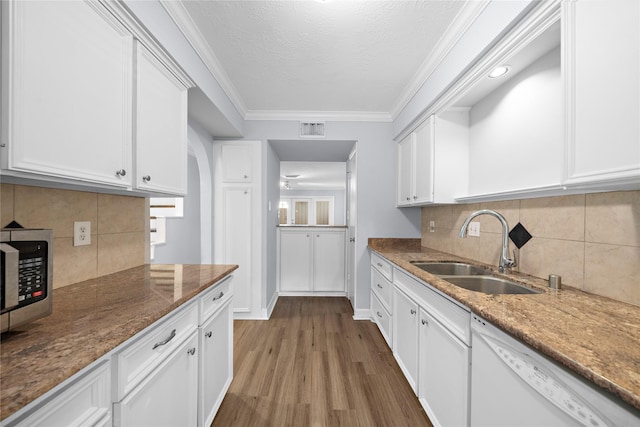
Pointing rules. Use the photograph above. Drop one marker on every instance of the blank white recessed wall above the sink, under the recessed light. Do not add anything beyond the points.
(522, 120)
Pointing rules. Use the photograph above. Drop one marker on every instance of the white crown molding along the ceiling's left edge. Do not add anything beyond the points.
(178, 13)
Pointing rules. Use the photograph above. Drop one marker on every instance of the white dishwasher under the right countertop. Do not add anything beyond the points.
(512, 385)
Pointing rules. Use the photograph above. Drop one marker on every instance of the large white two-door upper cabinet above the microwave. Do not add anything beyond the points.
(85, 103)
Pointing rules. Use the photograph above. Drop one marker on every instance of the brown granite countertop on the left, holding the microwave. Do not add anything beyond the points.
(89, 320)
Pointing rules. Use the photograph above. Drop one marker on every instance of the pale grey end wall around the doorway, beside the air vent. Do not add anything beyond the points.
(377, 215)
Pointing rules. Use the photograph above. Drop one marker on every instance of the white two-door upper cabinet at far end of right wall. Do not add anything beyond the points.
(433, 161)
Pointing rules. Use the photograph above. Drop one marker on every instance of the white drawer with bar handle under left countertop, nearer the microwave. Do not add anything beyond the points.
(147, 350)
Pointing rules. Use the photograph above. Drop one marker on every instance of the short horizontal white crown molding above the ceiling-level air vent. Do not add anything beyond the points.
(324, 116)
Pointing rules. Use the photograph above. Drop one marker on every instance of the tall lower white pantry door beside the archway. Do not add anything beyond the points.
(237, 242)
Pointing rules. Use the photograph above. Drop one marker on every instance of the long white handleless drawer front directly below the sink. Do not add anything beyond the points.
(455, 318)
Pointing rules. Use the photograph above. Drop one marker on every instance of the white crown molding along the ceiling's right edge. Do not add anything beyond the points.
(465, 18)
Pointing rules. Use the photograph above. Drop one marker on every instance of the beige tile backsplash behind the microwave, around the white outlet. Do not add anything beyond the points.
(119, 228)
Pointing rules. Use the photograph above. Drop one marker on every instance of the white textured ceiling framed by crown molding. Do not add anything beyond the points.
(311, 56)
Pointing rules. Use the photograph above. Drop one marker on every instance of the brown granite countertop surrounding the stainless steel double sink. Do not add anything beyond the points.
(595, 337)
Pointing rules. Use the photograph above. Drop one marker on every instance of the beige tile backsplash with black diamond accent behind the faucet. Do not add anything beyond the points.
(591, 240)
